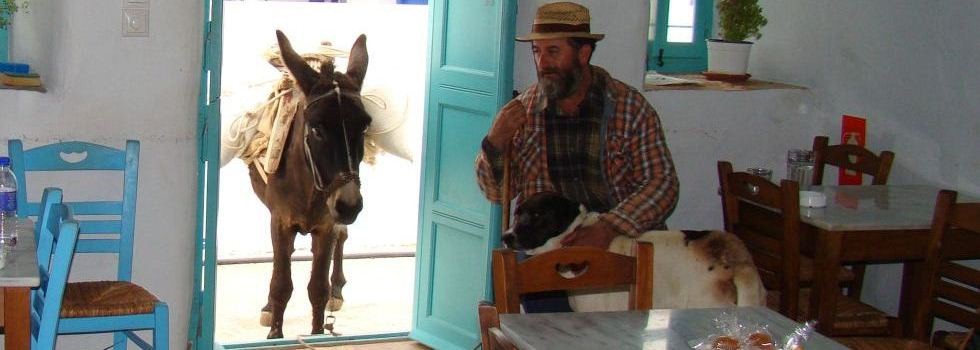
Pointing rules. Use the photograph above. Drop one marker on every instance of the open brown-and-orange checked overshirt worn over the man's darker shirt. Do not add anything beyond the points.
(636, 163)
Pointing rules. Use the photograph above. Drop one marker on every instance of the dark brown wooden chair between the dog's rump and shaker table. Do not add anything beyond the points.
(773, 239)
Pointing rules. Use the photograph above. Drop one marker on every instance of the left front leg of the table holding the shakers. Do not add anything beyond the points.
(823, 299)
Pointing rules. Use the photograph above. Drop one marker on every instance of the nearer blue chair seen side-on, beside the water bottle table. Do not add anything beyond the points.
(57, 238)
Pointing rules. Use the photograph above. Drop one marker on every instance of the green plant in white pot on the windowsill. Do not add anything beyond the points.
(739, 20)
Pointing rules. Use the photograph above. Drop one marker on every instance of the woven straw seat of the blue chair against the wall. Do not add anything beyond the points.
(106, 298)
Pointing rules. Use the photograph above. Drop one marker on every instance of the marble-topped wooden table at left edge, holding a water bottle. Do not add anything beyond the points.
(17, 277)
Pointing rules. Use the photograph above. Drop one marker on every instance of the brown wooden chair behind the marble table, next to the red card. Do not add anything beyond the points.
(856, 158)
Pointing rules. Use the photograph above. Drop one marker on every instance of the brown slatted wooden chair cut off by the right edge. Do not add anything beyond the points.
(950, 289)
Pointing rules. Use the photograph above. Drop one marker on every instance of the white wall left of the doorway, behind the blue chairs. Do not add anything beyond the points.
(105, 88)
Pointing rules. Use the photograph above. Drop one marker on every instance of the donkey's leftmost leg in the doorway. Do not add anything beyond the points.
(281, 284)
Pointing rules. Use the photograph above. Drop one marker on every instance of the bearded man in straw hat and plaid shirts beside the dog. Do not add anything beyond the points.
(582, 133)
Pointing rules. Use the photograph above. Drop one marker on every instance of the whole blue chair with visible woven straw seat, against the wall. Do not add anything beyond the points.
(107, 227)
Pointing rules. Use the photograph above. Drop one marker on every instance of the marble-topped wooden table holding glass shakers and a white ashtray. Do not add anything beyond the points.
(868, 224)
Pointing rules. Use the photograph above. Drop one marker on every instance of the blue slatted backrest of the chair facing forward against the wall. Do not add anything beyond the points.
(106, 225)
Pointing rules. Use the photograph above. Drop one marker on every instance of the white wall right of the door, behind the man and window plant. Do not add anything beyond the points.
(908, 66)
